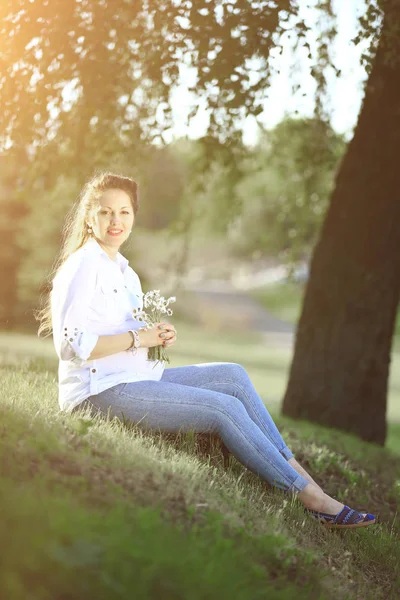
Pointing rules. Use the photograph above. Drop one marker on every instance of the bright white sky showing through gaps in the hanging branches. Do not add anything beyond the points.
(345, 93)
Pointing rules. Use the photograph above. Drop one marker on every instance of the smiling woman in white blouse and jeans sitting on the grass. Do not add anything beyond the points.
(103, 355)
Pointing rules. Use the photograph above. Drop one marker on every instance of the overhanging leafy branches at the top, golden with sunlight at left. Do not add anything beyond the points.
(119, 61)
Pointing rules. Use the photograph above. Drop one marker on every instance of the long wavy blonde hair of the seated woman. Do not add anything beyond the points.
(75, 231)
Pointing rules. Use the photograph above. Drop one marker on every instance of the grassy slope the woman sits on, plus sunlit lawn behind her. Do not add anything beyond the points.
(96, 508)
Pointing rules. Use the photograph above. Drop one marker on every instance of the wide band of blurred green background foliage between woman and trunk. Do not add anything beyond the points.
(269, 200)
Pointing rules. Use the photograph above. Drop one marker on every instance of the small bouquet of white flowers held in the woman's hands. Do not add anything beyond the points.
(156, 306)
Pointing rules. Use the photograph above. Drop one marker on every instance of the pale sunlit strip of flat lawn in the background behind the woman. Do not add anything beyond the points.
(268, 365)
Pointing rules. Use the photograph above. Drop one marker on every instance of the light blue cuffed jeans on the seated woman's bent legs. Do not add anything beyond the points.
(212, 397)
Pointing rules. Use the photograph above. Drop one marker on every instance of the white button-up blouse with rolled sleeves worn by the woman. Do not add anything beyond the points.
(93, 295)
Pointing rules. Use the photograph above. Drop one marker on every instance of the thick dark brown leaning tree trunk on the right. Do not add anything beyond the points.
(340, 369)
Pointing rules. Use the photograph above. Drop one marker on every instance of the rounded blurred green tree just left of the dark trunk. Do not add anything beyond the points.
(286, 188)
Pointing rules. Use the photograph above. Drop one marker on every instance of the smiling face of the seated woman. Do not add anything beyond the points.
(112, 220)
